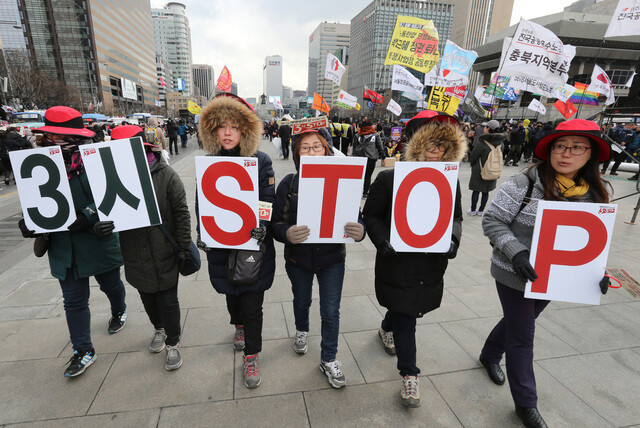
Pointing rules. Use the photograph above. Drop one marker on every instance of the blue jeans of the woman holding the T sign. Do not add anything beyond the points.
(330, 280)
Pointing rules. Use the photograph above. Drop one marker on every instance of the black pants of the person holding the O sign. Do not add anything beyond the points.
(404, 337)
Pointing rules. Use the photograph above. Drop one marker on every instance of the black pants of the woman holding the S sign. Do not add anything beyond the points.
(246, 310)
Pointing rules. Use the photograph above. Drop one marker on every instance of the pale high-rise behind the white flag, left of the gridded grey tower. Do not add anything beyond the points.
(327, 37)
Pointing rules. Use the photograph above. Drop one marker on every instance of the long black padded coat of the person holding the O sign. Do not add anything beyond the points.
(409, 283)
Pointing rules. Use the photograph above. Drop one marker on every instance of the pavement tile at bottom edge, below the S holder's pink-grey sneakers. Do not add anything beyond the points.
(273, 411)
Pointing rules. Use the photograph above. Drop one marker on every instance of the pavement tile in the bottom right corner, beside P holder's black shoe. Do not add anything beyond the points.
(608, 382)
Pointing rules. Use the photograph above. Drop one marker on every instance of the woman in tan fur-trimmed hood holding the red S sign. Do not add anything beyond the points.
(228, 126)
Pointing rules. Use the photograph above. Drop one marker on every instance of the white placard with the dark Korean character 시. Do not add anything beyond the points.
(121, 185)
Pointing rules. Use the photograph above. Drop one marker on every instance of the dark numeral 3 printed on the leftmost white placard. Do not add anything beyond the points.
(47, 190)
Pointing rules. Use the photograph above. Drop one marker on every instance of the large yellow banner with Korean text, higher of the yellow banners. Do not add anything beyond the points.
(414, 44)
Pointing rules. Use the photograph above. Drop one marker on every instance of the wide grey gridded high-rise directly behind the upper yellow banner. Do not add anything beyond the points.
(371, 32)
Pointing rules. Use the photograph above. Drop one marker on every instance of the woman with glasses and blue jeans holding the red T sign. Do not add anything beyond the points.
(302, 262)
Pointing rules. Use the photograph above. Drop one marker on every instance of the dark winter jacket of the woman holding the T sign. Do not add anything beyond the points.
(311, 257)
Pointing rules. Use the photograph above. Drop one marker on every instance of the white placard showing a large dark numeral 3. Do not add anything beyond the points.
(43, 187)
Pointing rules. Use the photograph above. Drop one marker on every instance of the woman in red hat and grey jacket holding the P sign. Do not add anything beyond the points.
(568, 172)
